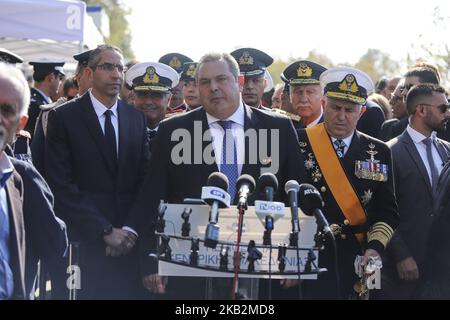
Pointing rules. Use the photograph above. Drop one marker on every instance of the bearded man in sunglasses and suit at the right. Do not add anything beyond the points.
(418, 158)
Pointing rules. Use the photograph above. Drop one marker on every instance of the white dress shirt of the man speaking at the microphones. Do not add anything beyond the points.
(217, 133)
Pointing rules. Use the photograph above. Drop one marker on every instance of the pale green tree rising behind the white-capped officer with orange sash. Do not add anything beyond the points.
(377, 64)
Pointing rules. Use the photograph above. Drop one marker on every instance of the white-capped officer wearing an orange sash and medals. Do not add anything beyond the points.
(353, 173)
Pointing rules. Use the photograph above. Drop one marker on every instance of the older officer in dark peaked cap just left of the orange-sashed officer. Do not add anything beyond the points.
(305, 92)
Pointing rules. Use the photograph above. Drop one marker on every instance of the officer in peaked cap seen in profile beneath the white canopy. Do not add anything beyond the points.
(48, 74)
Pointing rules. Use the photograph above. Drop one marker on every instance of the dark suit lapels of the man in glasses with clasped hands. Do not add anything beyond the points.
(93, 125)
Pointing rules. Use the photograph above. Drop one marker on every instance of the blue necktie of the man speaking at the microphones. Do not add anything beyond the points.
(228, 164)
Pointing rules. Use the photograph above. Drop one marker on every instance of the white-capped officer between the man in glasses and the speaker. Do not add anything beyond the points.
(152, 83)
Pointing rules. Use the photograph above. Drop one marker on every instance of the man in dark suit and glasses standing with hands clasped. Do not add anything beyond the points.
(95, 155)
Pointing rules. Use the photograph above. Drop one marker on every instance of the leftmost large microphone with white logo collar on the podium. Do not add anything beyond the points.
(216, 196)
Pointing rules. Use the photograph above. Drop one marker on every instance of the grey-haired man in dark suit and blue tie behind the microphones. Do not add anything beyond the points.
(225, 120)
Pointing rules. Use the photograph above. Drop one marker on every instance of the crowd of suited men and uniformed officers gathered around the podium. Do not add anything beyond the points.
(87, 159)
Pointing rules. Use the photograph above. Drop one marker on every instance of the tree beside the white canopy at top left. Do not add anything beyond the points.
(119, 30)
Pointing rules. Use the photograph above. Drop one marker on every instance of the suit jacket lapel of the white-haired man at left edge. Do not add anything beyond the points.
(14, 193)
